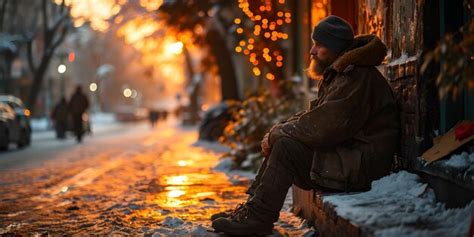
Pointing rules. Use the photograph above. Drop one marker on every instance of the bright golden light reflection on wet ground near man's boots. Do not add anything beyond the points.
(191, 190)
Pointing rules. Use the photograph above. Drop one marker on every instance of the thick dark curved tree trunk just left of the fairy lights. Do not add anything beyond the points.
(229, 86)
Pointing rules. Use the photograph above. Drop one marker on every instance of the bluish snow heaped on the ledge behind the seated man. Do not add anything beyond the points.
(409, 209)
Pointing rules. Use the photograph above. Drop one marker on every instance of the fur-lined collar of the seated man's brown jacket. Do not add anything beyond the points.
(367, 50)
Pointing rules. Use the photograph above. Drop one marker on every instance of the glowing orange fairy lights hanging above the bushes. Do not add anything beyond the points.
(261, 39)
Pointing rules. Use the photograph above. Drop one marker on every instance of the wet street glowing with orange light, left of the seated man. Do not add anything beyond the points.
(126, 180)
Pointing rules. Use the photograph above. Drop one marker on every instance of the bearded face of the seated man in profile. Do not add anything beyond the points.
(321, 58)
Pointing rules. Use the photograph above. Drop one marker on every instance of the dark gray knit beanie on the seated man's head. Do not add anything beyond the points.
(334, 33)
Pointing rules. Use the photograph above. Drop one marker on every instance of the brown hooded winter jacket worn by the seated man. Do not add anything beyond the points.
(353, 125)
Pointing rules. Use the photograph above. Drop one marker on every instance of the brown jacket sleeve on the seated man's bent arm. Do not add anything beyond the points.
(342, 114)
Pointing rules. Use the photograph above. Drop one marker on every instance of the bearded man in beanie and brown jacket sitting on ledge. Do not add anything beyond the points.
(343, 141)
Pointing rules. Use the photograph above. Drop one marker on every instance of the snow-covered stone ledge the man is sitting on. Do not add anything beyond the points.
(397, 205)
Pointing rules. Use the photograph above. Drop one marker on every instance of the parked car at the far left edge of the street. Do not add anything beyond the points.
(21, 119)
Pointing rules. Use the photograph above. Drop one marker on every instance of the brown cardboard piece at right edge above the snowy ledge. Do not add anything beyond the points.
(444, 145)
